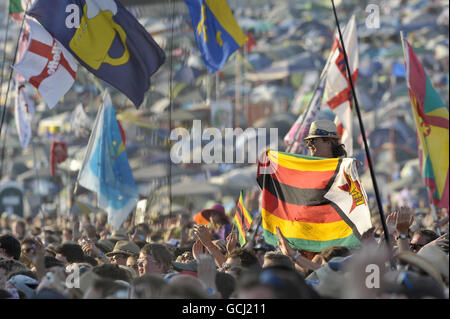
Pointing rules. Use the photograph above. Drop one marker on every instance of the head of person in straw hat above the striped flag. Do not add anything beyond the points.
(323, 140)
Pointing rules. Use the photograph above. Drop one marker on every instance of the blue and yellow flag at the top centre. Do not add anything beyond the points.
(217, 33)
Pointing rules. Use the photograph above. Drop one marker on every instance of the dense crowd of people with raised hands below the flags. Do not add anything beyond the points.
(195, 256)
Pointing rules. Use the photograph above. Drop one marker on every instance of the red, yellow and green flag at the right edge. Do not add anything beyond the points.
(431, 118)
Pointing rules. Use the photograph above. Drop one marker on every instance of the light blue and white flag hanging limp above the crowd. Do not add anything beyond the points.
(105, 168)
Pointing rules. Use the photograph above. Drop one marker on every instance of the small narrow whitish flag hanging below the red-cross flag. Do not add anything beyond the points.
(23, 114)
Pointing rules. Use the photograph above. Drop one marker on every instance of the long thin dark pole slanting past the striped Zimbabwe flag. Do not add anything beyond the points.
(363, 133)
